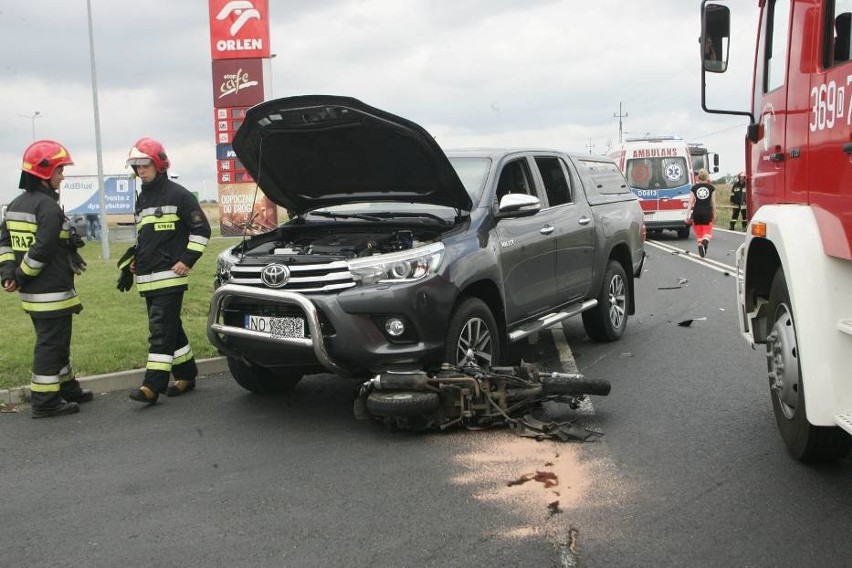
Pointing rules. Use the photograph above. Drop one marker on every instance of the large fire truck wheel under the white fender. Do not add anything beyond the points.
(805, 442)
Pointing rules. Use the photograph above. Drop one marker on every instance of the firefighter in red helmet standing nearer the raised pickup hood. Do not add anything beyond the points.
(171, 235)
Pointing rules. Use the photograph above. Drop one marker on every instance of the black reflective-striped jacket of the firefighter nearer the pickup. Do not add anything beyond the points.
(170, 227)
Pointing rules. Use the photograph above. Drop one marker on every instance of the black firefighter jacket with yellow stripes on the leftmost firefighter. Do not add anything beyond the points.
(35, 251)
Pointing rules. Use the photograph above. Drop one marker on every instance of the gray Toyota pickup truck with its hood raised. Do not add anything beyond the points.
(399, 255)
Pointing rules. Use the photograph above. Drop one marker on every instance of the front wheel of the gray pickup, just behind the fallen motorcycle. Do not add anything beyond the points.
(473, 327)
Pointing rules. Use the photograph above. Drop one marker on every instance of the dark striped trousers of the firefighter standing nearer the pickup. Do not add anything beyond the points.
(169, 352)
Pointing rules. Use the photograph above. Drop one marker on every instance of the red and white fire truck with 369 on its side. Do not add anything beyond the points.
(794, 286)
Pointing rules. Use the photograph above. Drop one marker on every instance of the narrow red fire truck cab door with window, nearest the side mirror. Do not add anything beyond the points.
(769, 153)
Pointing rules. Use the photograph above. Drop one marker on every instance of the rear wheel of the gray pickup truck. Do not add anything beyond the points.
(608, 320)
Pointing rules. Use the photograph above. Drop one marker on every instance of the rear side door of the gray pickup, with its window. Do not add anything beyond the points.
(575, 228)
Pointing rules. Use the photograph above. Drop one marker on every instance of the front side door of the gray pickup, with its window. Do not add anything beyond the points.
(527, 247)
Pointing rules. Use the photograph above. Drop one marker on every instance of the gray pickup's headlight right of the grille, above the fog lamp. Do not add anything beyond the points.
(404, 266)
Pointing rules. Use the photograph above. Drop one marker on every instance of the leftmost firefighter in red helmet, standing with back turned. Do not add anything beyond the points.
(38, 258)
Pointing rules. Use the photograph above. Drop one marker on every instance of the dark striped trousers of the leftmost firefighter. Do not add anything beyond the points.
(52, 378)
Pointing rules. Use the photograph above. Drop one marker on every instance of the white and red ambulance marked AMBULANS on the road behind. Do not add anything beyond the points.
(659, 171)
